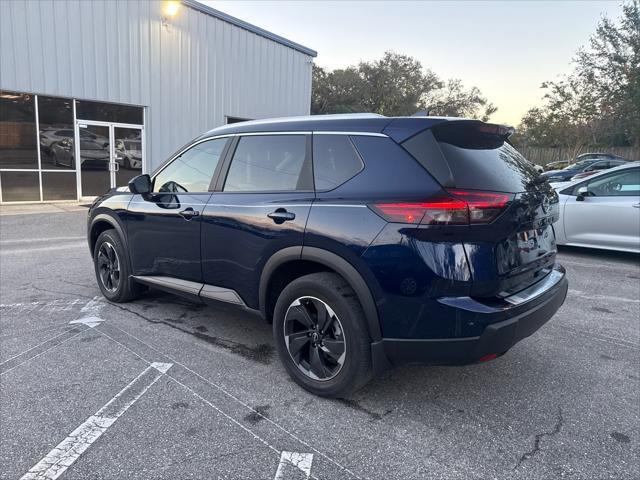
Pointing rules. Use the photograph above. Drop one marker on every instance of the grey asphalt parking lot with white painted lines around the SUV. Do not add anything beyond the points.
(162, 388)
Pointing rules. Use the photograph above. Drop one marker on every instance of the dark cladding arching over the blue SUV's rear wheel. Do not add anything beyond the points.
(324, 260)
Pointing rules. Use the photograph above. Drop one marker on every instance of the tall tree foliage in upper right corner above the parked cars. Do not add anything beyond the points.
(598, 104)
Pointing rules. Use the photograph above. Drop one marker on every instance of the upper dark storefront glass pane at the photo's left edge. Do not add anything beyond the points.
(18, 136)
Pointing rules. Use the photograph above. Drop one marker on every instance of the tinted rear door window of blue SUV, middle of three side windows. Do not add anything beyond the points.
(269, 163)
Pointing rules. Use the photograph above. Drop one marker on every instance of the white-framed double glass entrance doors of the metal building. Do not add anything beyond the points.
(110, 155)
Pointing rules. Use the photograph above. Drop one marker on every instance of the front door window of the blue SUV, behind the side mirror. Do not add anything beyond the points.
(193, 170)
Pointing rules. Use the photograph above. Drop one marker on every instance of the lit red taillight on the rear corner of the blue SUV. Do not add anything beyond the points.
(460, 207)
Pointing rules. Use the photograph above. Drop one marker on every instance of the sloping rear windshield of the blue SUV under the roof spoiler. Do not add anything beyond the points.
(477, 160)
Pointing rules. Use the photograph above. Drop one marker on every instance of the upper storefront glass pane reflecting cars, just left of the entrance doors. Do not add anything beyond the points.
(55, 117)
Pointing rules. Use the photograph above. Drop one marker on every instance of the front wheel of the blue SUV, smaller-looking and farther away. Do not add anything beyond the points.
(115, 287)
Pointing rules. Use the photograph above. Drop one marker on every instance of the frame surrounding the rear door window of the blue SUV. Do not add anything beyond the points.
(222, 178)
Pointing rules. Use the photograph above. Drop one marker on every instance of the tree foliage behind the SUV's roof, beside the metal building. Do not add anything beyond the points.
(395, 85)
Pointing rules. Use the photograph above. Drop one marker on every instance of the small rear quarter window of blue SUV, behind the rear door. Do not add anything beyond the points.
(335, 160)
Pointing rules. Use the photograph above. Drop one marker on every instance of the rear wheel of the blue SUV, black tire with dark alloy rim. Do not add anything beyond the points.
(342, 371)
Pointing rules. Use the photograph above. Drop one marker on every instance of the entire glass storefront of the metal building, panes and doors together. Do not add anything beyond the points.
(38, 160)
